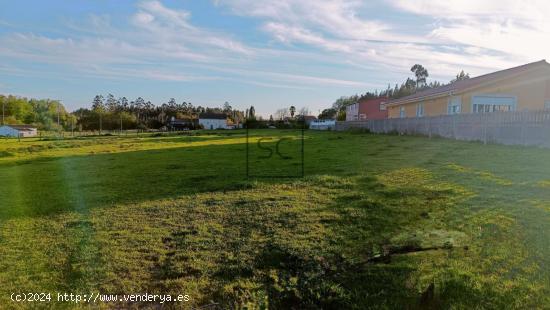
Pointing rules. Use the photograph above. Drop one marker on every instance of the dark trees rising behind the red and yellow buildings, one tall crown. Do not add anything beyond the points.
(408, 87)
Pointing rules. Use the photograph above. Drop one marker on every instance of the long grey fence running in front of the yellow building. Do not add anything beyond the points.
(523, 128)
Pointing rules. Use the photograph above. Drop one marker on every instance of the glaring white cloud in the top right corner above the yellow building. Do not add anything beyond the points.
(519, 30)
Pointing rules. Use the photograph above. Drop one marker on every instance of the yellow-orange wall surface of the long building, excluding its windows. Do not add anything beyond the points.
(532, 90)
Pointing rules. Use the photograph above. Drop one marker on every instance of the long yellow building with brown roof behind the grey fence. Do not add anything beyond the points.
(521, 88)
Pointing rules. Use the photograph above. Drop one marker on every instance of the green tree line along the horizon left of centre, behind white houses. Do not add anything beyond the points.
(107, 113)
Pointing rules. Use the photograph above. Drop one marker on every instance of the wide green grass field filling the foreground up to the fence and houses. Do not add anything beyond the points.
(377, 222)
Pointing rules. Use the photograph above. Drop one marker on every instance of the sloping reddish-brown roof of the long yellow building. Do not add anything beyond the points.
(464, 85)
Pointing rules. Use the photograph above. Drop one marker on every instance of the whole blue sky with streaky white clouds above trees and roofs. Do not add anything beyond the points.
(266, 53)
